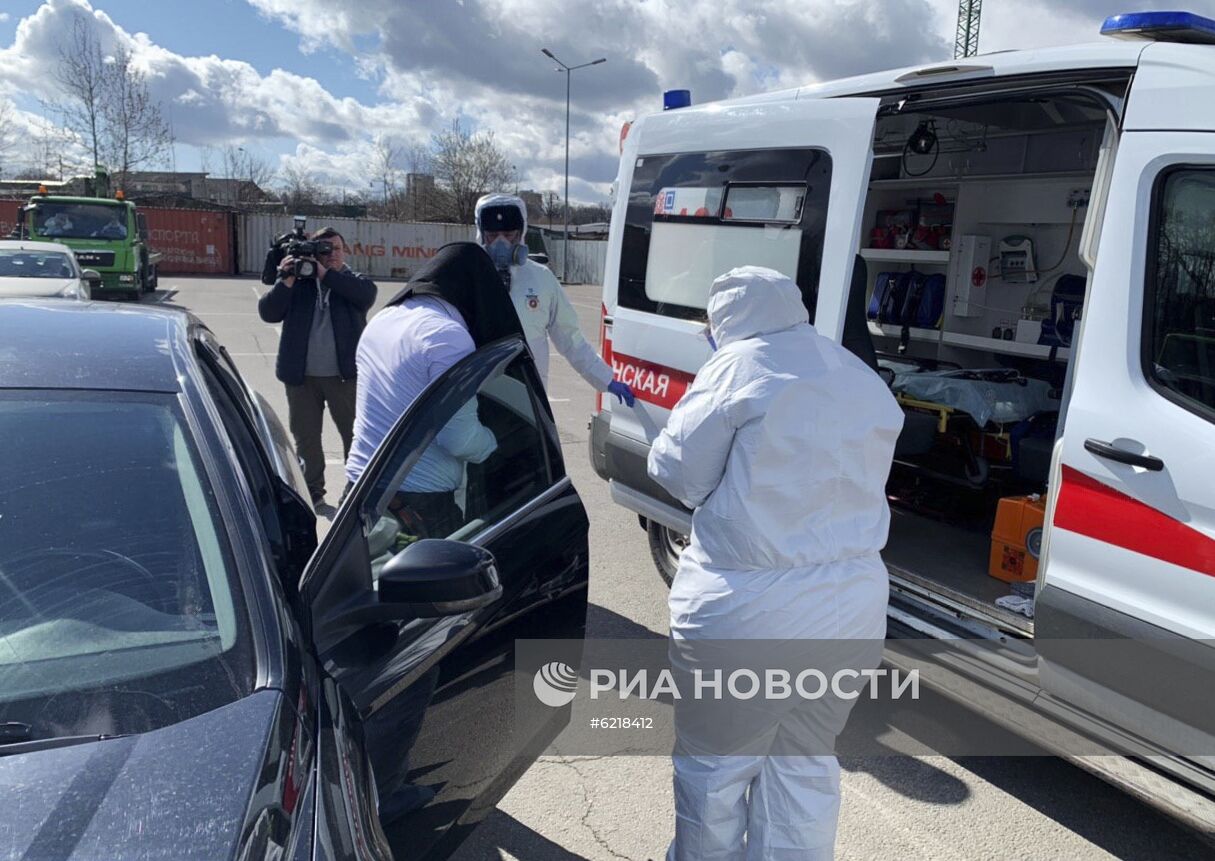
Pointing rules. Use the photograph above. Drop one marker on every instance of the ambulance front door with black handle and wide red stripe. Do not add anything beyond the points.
(1126, 607)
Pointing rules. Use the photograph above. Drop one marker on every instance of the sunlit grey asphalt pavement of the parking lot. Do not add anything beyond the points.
(602, 809)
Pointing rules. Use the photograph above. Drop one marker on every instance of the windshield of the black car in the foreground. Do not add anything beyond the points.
(120, 608)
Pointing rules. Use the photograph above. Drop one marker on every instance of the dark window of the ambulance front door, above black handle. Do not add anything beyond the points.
(1179, 337)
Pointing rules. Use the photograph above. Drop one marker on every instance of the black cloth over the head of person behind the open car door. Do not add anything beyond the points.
(464, 275)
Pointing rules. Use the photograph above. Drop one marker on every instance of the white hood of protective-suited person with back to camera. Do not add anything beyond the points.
(749, 302)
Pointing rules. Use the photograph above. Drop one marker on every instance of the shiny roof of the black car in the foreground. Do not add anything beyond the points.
(101, 347)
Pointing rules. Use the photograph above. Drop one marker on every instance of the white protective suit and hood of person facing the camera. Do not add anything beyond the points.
(545, 310)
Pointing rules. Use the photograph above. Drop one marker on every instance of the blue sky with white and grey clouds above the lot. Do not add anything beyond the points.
(314, 81)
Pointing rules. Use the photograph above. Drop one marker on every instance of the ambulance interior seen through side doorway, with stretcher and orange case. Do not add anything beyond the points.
(1015, 173)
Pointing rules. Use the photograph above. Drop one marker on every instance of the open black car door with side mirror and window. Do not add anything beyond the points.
(462, 536)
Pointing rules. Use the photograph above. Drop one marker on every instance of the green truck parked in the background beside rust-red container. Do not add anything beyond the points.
(108, 235)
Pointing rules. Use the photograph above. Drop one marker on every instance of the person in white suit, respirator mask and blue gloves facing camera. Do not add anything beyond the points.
(540, 302)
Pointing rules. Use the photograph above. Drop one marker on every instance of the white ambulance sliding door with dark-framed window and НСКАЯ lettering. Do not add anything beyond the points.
(777, 184)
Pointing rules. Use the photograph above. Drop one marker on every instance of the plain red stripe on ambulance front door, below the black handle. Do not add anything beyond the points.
(1097, 511)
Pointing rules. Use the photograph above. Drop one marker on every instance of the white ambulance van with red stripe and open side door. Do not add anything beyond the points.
(1024, 246)
